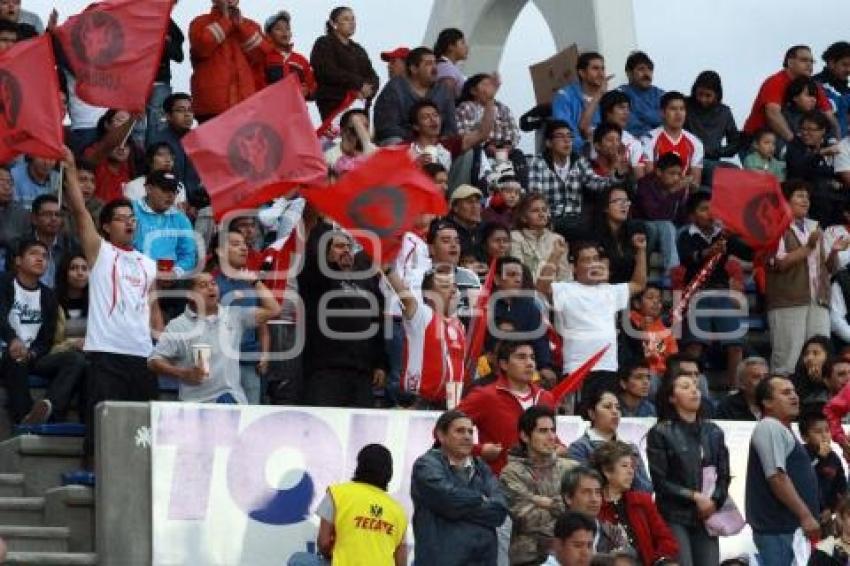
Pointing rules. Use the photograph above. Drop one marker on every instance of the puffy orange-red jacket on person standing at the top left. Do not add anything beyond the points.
(226, 59)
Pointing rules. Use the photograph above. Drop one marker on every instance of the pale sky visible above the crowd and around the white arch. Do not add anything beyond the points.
(744, 40)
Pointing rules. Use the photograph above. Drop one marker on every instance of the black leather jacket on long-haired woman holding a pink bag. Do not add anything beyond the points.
(677, 452)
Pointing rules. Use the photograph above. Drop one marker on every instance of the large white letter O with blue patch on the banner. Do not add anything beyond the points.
(246, 467)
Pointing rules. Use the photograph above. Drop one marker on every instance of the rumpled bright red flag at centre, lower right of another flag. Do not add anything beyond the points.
(383, 196)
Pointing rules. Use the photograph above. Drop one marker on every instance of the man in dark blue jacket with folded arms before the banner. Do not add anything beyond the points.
(457, 502)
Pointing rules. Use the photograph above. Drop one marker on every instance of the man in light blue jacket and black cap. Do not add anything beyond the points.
(163, 232)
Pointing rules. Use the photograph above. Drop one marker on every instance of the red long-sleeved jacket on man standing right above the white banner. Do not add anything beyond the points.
(495, 411)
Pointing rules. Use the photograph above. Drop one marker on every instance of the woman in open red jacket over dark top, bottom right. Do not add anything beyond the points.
(632, 511)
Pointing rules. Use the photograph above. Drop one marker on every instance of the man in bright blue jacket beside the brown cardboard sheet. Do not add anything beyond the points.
(571, 101)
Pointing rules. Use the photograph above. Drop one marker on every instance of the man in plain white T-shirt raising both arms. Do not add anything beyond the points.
(586, 308)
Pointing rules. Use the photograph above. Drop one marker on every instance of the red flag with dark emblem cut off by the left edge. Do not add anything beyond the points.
(30, 111)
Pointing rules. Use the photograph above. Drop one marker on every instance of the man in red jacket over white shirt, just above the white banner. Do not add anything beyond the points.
(495, 408)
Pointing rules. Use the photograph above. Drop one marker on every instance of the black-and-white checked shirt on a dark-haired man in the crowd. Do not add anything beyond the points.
(566, 197)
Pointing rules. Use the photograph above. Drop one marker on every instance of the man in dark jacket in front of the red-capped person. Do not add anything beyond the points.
(392, 108)
